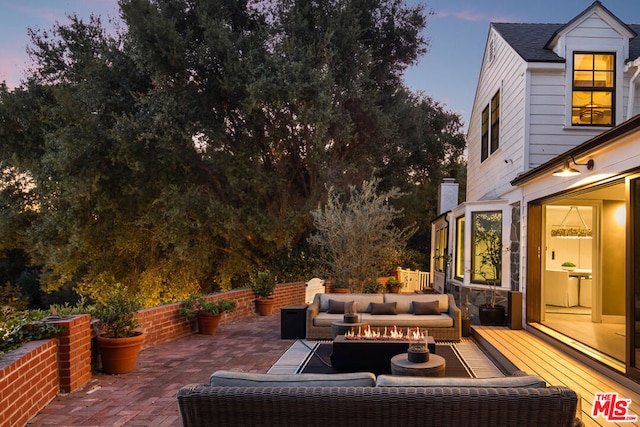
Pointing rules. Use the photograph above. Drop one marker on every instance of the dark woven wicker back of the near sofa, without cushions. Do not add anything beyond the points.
(203, 405)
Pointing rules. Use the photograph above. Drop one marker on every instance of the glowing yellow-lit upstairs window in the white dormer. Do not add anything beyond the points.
(593, 91)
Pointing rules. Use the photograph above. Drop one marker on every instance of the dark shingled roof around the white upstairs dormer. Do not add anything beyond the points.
(531, 41)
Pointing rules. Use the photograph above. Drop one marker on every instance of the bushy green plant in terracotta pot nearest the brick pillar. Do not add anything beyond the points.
(118, 340)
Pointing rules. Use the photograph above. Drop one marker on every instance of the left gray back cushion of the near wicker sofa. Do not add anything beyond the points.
(247, 379)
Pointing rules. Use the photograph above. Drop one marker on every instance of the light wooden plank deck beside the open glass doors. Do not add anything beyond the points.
(526, 351)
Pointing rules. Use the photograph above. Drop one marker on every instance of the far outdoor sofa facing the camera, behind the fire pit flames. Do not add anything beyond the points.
(443, 326)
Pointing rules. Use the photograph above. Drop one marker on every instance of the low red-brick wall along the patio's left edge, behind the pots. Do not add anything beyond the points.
(31, 376)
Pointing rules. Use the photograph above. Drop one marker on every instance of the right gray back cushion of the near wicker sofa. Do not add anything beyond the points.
(524, 381)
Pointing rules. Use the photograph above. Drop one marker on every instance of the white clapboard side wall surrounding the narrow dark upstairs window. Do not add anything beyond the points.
(506, 73)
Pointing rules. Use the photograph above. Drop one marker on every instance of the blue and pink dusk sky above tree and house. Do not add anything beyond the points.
(448, 72)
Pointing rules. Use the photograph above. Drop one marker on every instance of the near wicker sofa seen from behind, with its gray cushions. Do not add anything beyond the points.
(362, 400)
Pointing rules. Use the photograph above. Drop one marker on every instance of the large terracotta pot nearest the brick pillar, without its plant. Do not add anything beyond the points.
(119, 355)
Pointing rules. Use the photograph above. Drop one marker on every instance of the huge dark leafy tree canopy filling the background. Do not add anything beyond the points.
(187, 150)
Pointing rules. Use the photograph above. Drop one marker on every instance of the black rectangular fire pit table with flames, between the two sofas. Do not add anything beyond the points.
(364, 355)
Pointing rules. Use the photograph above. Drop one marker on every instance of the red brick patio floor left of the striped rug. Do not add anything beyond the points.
(147, 395)
